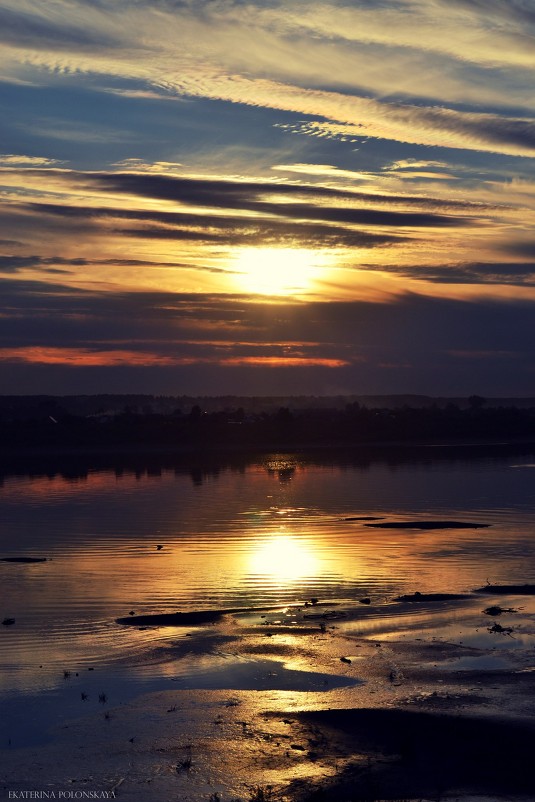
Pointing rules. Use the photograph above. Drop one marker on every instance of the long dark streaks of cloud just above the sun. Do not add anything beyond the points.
(304, 222)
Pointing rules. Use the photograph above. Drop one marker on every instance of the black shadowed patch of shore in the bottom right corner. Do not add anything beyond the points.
(414, 754)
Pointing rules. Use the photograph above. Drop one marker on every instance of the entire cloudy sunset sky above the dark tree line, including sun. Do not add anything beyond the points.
(212, 197)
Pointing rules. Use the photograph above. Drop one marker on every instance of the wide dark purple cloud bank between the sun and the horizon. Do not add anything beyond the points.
(410, 345)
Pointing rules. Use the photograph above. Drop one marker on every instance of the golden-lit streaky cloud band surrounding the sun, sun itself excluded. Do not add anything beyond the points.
(99, 215)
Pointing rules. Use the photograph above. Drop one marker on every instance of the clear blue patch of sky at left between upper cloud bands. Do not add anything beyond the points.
(105, 127)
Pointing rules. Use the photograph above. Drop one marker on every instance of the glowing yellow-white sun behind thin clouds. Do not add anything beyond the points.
(278, 271)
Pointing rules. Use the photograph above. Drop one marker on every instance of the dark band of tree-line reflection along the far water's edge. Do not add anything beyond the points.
(77, 461)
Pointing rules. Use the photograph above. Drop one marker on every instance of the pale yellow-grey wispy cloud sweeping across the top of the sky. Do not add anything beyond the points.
(277, 58)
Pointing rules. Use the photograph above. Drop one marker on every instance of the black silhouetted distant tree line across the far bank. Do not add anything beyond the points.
(51, 426)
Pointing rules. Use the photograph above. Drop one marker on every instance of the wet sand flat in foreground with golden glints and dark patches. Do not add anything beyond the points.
(390, 701)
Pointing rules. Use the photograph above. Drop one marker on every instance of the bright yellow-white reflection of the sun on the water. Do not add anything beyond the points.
(285, 559)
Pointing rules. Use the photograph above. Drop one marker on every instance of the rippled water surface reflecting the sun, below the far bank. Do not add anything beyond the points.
(250, 531)
